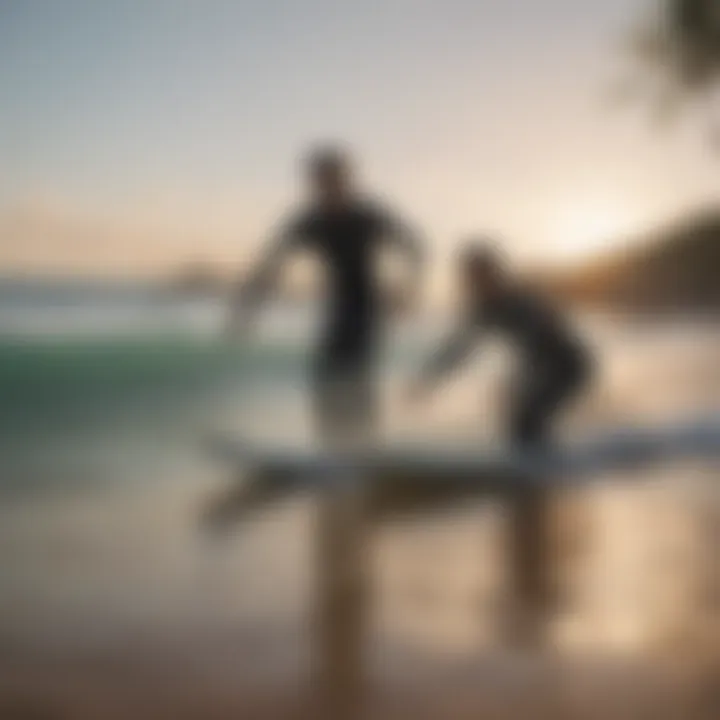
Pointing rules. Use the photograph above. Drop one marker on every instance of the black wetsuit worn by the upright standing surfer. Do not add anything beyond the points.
(347, 241)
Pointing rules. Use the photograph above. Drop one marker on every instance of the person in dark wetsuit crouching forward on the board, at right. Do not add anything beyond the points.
(554, 363)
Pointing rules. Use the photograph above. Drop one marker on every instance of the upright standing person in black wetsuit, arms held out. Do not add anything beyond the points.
(347, 232)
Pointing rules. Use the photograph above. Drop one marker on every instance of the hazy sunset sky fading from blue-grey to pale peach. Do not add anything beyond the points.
(139, 135)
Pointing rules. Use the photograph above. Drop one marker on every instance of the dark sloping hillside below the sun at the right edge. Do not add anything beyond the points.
(675, 269)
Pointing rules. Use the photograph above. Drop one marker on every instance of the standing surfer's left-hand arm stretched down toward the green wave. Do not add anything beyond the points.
(253, 291)
